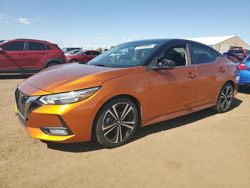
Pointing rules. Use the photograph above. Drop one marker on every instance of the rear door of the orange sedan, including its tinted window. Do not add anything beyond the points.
(210, 73)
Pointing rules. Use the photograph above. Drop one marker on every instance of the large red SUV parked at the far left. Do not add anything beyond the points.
(28, 55)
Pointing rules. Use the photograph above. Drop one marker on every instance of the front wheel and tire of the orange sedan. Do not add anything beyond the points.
(116, 122)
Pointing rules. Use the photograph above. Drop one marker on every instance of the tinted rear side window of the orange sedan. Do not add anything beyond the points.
(201, 54)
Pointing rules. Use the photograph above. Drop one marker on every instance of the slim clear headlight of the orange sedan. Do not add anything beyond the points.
(69, 97)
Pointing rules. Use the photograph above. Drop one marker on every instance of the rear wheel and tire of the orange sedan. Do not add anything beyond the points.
(225, 98)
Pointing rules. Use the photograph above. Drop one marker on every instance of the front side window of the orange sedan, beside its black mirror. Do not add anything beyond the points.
(178, 54)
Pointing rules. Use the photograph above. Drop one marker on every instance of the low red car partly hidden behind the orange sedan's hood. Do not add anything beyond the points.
(82, 56)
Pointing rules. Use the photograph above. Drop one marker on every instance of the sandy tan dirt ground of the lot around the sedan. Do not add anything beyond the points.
(203, 149)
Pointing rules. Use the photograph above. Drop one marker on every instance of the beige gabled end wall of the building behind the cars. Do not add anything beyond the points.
(234, 41)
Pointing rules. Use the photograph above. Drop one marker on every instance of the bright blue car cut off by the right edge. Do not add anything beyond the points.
(245, 72)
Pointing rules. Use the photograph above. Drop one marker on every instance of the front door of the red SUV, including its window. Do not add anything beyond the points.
(12, 56)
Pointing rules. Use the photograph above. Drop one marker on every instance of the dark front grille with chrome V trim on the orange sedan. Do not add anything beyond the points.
(25, 103)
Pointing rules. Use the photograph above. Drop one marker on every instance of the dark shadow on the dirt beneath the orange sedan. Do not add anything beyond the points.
(155, 128)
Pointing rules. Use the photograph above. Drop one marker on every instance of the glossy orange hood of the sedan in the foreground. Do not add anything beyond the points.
(63, 78)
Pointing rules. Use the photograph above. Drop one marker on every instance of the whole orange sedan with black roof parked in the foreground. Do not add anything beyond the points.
(131, 85)
